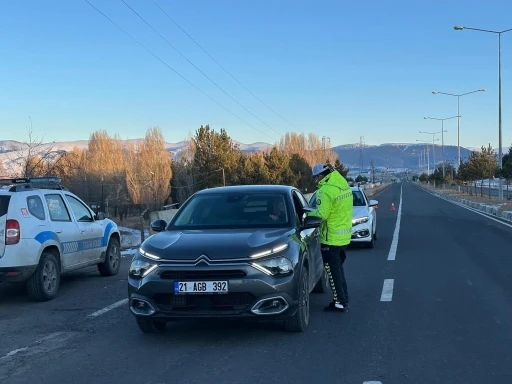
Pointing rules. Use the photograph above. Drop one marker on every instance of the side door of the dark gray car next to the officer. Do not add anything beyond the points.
(311, 237)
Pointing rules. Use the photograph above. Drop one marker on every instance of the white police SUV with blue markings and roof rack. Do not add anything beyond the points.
(45, 230)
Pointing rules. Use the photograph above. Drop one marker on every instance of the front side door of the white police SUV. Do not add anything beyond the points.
(90, 230)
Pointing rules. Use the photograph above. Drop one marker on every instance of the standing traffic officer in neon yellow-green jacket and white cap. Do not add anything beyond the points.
(334, 204)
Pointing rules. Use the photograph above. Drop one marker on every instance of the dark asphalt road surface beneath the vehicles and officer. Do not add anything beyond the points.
(447, 318)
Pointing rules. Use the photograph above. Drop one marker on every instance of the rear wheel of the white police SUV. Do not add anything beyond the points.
(44, 283)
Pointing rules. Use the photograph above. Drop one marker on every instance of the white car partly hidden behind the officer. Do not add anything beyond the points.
(364, 217)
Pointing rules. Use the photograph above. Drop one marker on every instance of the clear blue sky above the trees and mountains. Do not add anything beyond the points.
(341, 69)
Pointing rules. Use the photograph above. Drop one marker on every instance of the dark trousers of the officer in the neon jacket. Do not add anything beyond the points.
(334, 257)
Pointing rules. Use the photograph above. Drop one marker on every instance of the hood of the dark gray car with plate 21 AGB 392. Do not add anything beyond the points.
(216, 244)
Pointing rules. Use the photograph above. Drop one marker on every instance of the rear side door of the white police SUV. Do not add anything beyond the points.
(65, 228)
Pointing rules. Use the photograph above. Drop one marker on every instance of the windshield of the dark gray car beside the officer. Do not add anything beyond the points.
(233, 210)
